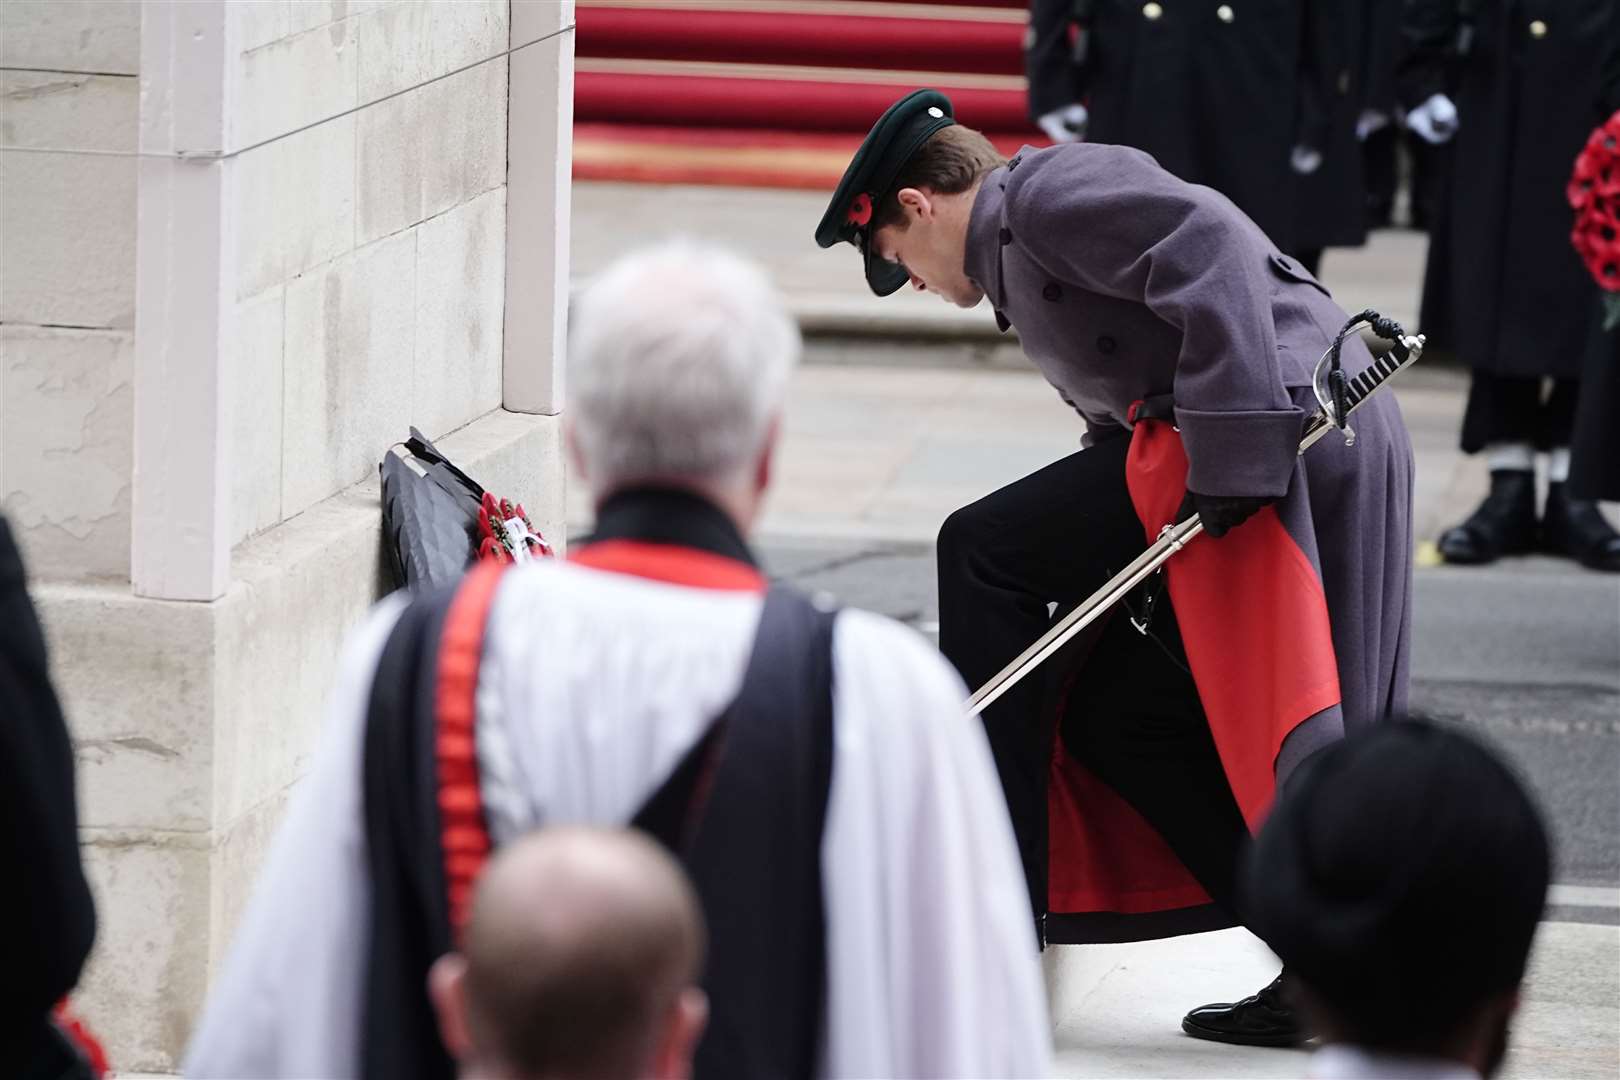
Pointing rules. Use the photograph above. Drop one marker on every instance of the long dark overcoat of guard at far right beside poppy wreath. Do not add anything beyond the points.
(1504, 287)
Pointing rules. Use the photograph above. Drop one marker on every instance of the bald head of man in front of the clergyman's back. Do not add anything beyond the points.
(584, 948)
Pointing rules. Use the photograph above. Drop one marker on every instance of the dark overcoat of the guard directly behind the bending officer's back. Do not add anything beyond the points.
(1217, 91)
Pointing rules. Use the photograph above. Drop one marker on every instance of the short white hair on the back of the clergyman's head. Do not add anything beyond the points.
(678, 364)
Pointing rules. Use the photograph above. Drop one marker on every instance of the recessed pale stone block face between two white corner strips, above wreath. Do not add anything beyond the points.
(370, 250)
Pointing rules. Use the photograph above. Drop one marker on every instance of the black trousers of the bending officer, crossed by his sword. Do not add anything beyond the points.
(1133, 715)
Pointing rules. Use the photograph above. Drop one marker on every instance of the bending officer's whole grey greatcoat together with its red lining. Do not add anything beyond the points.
(1127, 284)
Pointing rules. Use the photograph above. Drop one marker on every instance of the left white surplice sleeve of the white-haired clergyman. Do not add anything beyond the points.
(288, 1001)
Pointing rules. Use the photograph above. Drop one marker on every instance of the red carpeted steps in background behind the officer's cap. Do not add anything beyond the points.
(778, 95)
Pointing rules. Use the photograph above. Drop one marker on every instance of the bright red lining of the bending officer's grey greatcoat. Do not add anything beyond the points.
(1256, 629)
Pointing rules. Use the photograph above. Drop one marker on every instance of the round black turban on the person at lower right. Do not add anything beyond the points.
(1400, 877)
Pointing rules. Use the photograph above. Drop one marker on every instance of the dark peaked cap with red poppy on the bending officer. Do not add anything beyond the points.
(871, 176)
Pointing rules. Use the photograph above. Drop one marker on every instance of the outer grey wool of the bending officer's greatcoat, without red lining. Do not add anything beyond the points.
(1125, 284)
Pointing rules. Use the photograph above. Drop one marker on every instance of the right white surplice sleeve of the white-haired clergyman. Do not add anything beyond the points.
(932, 961)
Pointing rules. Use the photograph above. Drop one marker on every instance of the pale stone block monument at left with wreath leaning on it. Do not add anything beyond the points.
(364, 291)
